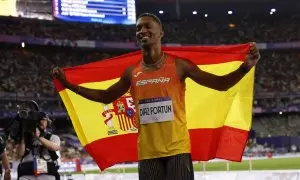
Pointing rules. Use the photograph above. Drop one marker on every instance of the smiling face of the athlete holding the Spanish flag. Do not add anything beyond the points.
(148, 32)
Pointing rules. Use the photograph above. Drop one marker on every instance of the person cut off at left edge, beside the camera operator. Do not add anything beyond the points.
(4, 159)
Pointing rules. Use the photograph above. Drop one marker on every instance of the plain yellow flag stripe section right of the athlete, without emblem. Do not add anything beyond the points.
(208, 108)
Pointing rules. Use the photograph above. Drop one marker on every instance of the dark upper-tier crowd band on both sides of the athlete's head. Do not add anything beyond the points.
(211, 31)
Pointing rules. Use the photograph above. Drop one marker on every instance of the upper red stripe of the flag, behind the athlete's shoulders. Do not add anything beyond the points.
(114, 67)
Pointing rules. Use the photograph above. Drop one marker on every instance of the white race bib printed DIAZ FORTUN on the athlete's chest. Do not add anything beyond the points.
(155, 110)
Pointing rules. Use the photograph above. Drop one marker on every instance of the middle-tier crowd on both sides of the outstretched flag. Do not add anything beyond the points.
(28, 71)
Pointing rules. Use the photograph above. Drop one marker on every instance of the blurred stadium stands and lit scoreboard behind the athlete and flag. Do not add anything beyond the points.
(37, 35)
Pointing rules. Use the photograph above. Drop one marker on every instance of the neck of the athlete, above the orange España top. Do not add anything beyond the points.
(152, 55)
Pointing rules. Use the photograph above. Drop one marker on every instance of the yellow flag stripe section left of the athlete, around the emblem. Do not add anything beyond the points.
(86, 115)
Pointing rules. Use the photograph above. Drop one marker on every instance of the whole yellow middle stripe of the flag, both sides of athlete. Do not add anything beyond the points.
(206, 108)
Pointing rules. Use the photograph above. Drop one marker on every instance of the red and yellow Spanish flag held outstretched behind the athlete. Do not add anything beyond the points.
(218, 122)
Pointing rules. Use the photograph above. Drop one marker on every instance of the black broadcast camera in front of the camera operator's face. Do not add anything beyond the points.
(26, 120)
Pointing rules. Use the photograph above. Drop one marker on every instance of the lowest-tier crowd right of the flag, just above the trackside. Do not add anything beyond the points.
(277, 134)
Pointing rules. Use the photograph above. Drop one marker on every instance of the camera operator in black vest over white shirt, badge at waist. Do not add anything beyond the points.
(37, 151)
